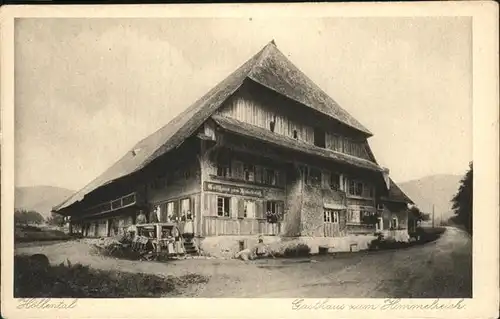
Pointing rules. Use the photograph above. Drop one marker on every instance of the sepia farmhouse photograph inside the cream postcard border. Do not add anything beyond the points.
(243, 157)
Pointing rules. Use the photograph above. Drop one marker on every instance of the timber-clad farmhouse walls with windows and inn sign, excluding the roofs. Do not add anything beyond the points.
(231, 185)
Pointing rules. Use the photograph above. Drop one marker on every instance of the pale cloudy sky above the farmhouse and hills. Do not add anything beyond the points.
(86, 90)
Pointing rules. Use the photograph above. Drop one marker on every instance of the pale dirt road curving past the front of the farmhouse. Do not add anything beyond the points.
(438, 269)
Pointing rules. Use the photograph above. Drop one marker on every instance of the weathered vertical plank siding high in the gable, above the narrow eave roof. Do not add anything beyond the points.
(261, 113)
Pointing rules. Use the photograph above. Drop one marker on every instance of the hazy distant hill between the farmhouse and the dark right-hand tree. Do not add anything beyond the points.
(434, 189)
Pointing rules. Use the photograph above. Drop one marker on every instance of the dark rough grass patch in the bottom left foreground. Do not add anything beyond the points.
(34, 278)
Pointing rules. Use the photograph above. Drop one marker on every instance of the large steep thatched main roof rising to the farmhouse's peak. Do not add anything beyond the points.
(269, 67)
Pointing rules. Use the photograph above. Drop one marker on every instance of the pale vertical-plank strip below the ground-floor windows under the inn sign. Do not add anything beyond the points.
(214, 226)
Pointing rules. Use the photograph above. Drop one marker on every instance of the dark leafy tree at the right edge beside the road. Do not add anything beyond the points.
(462, 201)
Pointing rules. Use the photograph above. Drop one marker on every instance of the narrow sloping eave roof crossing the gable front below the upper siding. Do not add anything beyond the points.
(252, 131)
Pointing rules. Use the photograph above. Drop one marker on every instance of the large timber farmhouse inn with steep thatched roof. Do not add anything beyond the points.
(265, 152)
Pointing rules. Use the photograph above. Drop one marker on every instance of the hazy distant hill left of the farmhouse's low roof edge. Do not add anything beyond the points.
(40, 198)
